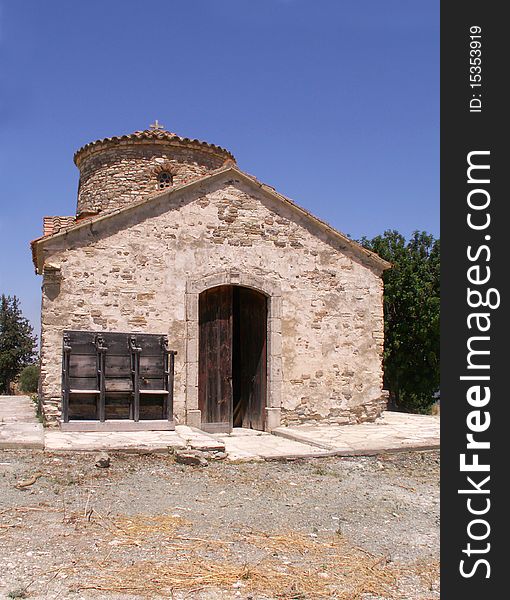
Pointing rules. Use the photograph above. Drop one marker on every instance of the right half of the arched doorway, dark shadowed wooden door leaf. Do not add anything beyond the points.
(251, 323)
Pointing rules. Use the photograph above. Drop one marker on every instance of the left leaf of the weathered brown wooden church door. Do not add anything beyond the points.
(215, 359)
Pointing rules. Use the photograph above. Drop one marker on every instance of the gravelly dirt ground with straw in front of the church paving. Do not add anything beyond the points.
(147, 527)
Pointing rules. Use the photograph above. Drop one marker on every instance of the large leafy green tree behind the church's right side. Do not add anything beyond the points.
(411, 317)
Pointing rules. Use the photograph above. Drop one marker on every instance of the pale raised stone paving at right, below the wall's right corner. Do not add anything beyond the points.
(392, 432)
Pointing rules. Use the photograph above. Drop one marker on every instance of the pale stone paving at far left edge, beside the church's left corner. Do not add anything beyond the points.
(19, 427)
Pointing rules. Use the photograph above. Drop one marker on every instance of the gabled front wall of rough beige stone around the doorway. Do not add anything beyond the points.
(129, 273)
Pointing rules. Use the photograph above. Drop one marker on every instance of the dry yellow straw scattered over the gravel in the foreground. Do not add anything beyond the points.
(294, 566)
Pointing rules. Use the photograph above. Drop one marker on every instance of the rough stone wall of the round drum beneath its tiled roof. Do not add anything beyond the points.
(118, 176)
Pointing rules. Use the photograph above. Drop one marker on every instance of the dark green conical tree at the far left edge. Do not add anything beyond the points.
(17, 342)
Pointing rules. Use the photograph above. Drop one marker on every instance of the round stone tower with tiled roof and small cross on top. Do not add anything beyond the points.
(117, 171)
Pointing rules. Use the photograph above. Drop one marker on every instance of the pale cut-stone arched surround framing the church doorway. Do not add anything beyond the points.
(194, 287)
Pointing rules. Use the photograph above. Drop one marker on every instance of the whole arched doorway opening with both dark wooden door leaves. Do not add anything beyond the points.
(232, 369)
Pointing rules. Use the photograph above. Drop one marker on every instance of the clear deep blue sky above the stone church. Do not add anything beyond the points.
(335, 103)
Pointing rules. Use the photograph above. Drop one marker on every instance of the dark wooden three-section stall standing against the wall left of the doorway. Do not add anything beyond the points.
(110, 376)
